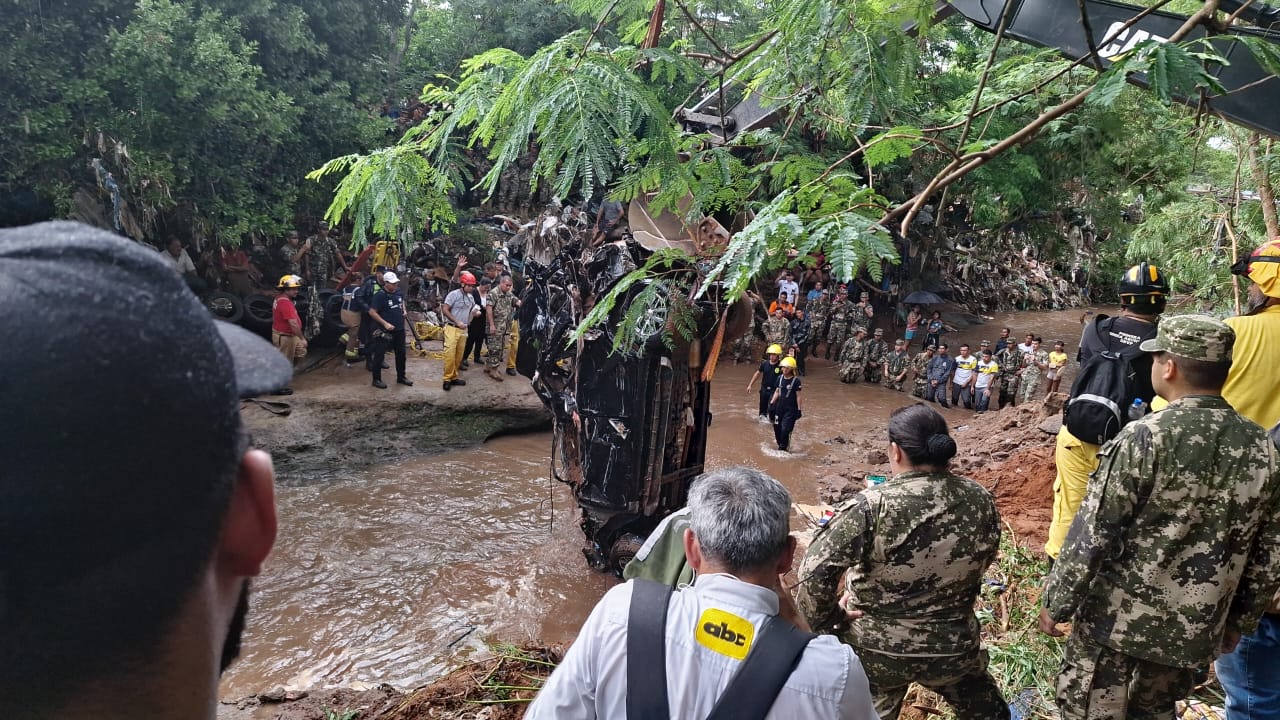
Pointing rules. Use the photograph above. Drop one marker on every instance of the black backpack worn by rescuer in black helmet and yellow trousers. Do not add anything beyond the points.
(1103, 393)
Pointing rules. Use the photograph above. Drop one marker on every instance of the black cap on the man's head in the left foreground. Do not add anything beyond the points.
(113, 372)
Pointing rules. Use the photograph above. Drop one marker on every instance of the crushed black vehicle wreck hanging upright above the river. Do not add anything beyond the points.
(630, 429)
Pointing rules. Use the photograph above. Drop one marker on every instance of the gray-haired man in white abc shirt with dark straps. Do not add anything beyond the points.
(732, 645)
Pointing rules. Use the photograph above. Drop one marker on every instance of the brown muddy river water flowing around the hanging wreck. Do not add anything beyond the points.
(401, 572)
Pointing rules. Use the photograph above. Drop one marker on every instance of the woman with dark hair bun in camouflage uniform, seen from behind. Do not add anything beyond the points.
(916, 550)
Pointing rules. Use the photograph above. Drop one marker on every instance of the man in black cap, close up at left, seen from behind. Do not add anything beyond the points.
(132, 511)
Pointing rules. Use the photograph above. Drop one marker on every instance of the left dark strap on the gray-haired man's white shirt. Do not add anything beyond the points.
(647, 651)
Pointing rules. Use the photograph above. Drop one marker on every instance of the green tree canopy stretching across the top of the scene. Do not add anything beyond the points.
(893, 138)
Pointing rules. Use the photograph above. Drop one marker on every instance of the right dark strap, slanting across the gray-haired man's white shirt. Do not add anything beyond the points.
(758, 682)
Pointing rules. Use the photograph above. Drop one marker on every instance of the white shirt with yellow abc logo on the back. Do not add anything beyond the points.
(711, 627)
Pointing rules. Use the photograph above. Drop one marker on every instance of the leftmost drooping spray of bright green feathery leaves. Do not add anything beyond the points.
(391, 192)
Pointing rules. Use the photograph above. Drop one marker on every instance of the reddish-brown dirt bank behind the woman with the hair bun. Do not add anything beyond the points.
(1011, 453)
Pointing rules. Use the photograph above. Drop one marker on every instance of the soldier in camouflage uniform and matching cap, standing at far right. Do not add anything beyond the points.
(1176, 550)
